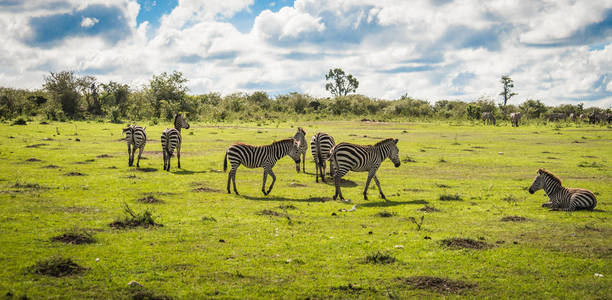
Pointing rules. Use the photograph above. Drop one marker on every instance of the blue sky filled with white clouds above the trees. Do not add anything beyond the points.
(558, 52)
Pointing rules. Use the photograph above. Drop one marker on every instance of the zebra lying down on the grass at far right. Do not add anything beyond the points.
(562, 198)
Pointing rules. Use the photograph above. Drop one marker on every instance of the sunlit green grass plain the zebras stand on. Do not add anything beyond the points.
(297, 242)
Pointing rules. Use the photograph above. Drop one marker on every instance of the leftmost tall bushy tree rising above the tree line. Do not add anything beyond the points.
(63, 89)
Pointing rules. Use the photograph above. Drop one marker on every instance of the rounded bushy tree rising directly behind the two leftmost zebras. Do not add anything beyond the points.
(167, 90)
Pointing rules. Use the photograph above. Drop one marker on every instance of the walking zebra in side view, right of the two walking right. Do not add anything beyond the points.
(350, 157)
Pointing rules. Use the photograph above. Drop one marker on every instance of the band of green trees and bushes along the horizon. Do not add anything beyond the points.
(68, 96)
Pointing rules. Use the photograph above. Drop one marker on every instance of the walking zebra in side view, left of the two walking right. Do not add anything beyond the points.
(259, 156)
